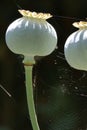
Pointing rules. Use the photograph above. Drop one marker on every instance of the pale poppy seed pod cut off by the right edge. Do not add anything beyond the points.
(75, 47)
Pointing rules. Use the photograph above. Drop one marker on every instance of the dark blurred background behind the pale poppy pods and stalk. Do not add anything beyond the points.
(60, 91)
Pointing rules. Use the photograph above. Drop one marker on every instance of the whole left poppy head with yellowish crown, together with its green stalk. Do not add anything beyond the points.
(31, 36)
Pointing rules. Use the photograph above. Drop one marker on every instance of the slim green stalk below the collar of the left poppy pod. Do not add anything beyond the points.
(30, 98)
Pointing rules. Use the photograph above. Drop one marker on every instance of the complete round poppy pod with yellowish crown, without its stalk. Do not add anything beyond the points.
(31, 35)
